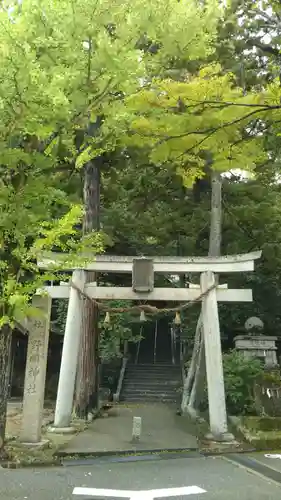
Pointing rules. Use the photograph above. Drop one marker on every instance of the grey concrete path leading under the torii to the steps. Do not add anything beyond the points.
(162, 429)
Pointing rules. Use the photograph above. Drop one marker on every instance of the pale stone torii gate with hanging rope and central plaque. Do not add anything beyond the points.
(143, 270)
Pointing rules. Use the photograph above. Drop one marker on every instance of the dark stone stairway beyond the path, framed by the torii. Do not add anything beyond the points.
(151, 383)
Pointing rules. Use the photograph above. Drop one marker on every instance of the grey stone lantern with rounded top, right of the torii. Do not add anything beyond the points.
(256, 345)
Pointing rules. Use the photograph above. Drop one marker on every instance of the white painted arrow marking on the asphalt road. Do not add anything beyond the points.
(141, 494)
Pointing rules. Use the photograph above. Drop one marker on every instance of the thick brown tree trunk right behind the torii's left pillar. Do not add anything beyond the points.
(87, 373)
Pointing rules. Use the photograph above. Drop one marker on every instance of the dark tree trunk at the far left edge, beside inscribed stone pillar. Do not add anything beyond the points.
(5, 368)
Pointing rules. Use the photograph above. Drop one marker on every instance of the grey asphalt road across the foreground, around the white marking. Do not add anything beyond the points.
(219, 477)
